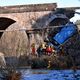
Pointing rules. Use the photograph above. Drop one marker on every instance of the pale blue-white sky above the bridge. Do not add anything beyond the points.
(60, 3)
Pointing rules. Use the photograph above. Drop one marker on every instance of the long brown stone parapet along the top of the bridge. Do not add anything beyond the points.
(28, 8)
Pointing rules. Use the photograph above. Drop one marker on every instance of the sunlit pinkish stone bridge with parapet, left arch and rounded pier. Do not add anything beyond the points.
(15, 18)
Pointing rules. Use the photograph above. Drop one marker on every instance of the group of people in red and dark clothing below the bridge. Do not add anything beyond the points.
(43, 49)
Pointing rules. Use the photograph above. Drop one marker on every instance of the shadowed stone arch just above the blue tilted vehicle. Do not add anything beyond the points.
(56, 20)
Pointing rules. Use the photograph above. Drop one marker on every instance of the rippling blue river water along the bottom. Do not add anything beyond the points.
(30, 74)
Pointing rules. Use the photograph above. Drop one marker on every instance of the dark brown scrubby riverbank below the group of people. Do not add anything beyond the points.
(54, 61)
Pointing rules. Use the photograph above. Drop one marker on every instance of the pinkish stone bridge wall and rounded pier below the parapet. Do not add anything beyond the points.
(26, 20)
